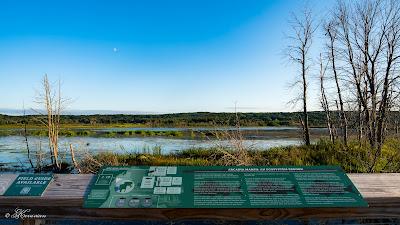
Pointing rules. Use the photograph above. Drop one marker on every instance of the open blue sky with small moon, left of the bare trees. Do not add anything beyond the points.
(151, 56)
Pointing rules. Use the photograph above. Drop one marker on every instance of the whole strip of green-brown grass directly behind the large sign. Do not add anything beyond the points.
(351, 159)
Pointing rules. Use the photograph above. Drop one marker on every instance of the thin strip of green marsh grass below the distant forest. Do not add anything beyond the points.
(170, 132)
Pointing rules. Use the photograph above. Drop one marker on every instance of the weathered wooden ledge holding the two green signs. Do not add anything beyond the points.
(64, 199)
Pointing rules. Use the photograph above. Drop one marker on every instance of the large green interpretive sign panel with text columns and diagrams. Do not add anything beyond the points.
(222, 187)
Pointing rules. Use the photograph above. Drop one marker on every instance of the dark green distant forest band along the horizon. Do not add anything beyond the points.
(317, 119)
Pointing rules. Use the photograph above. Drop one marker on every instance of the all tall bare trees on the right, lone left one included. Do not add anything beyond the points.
(358, 69)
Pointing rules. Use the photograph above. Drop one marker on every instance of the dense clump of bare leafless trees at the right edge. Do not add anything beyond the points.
(366, 35)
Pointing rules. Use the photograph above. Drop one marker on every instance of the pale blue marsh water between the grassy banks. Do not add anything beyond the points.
(13, 150)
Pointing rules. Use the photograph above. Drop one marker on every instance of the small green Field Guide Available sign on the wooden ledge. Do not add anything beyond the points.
(29, 185)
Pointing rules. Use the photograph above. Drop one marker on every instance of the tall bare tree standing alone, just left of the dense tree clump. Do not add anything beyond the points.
(298, 52)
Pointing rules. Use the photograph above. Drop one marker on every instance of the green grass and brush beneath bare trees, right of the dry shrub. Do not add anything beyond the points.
(354, 158)
